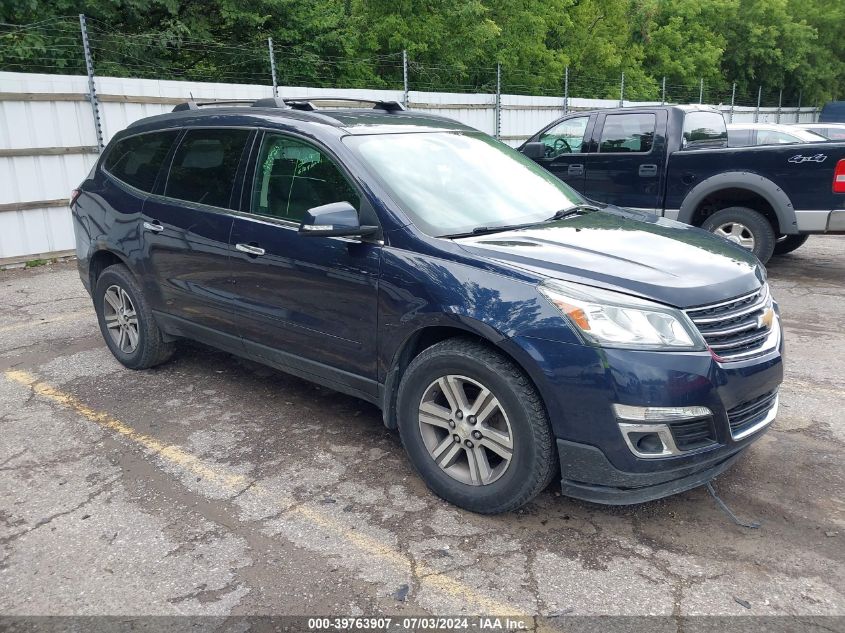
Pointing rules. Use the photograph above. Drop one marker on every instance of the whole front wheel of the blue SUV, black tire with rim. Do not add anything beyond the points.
(475, 428)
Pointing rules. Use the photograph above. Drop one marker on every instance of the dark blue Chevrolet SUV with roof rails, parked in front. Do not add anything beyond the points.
(508, 328)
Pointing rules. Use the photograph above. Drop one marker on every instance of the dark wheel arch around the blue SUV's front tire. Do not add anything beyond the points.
(430, 334)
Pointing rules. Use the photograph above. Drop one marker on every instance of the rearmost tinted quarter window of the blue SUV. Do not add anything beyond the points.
(137, 159)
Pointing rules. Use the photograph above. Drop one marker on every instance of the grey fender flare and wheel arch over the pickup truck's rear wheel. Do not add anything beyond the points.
(740, 188)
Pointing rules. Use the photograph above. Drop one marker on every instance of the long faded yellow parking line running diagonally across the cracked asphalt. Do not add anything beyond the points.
(234, 482)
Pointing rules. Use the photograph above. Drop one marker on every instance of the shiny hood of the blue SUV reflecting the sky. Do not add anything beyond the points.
(629, 252)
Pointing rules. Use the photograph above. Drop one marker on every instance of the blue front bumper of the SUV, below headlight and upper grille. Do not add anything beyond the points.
(580, 385)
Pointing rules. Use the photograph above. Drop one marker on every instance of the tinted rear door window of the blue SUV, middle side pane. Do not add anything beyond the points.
(205, 165)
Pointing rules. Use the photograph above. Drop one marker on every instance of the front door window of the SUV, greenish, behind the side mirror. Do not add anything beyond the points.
(292, 177)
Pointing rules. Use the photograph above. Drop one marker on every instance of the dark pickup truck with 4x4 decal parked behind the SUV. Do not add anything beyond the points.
(674, 161)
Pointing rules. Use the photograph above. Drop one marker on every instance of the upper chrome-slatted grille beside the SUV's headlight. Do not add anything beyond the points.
(735, 329)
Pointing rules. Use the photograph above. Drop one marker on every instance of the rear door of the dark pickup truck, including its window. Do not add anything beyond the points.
(625, 167)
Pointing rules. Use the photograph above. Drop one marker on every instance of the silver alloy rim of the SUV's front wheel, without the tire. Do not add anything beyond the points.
(465, 429)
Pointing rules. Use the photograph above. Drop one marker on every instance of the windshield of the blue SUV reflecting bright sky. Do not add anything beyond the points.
(450, 183)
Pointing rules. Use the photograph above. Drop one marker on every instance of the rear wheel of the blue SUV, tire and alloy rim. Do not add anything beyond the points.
(126, 321)
